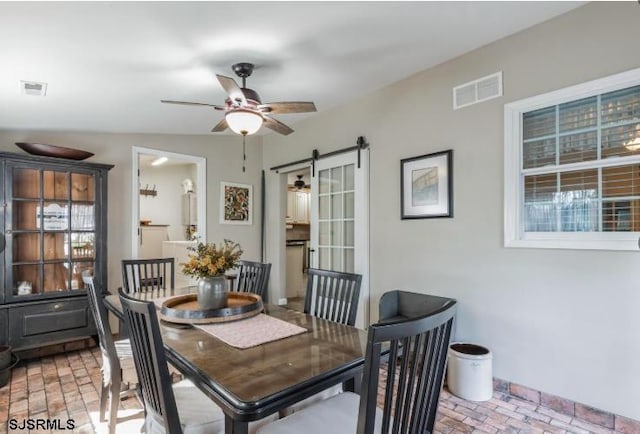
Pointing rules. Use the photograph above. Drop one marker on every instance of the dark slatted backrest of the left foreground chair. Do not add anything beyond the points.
(151, 363)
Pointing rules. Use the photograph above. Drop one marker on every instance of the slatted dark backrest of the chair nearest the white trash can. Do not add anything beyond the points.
(413, 381)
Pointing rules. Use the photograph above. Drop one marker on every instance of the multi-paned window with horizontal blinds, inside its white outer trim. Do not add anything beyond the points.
(579, 170)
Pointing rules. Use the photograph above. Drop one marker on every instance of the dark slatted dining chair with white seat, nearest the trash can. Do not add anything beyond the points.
(411, 385)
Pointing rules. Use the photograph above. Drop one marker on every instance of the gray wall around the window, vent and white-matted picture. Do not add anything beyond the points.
(565, 322)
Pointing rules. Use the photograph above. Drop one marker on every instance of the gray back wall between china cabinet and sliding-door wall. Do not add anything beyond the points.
(224, 163)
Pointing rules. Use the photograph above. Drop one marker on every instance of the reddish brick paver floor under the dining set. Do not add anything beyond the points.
(66, 387)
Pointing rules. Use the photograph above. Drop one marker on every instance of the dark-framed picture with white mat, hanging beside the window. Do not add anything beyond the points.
(426, 186)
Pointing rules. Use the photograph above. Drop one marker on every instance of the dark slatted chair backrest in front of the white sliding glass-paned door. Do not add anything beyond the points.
(332, 295)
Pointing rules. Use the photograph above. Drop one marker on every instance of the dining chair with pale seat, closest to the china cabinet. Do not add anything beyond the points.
(117, 361)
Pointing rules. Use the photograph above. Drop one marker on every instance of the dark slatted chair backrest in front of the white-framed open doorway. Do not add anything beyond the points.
(147, 274)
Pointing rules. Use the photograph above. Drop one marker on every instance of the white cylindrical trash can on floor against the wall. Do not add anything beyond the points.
(470, 371)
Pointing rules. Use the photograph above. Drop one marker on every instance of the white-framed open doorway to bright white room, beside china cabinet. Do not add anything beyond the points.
(168, 202)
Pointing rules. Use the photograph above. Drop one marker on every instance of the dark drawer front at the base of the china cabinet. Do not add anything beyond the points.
(46, 323)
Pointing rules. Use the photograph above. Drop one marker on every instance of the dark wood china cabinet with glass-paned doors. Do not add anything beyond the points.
(54, 228)
